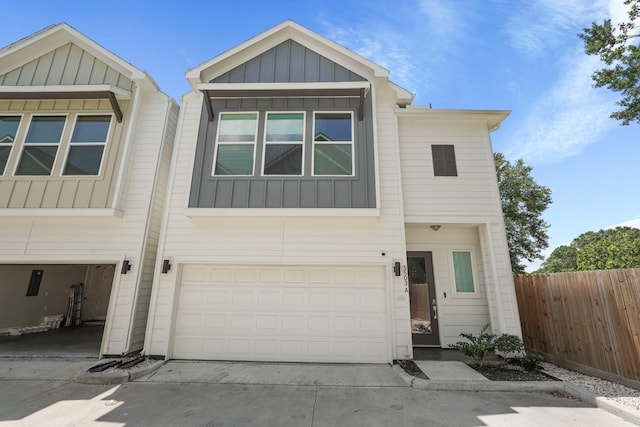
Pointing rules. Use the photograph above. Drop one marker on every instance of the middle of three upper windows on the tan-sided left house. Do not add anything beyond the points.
(41, 145)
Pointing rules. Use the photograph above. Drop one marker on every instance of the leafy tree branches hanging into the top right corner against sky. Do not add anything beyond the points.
(616, 45)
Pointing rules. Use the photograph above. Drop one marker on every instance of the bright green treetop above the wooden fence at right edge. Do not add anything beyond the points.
(608, 249)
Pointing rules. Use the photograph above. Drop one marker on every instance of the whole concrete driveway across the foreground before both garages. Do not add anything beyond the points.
(192, 394)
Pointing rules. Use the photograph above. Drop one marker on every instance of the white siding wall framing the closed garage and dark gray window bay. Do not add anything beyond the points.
(281, 240)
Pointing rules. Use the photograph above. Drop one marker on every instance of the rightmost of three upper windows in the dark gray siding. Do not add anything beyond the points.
(333, 144)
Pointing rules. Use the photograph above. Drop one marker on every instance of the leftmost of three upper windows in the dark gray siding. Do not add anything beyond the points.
(235, 144)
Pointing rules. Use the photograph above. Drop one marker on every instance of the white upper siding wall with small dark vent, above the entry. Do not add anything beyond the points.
(471, 194)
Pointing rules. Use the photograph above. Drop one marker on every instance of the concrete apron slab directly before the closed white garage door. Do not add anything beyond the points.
(277, 374)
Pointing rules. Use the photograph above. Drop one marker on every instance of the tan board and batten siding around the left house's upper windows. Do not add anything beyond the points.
(63, 191)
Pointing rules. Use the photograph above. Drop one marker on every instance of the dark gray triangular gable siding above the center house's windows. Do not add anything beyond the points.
(288, 62)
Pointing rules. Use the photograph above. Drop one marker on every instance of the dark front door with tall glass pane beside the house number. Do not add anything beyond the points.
(422, 298)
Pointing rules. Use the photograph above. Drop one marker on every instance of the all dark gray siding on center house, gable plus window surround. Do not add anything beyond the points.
(287, 62)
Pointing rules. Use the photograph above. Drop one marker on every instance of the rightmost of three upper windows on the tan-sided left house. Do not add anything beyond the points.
(87, 144)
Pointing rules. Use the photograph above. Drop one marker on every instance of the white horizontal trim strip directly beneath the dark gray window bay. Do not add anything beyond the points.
(283, 212)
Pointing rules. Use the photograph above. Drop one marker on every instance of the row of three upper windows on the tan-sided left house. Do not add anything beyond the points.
(46, 139)
